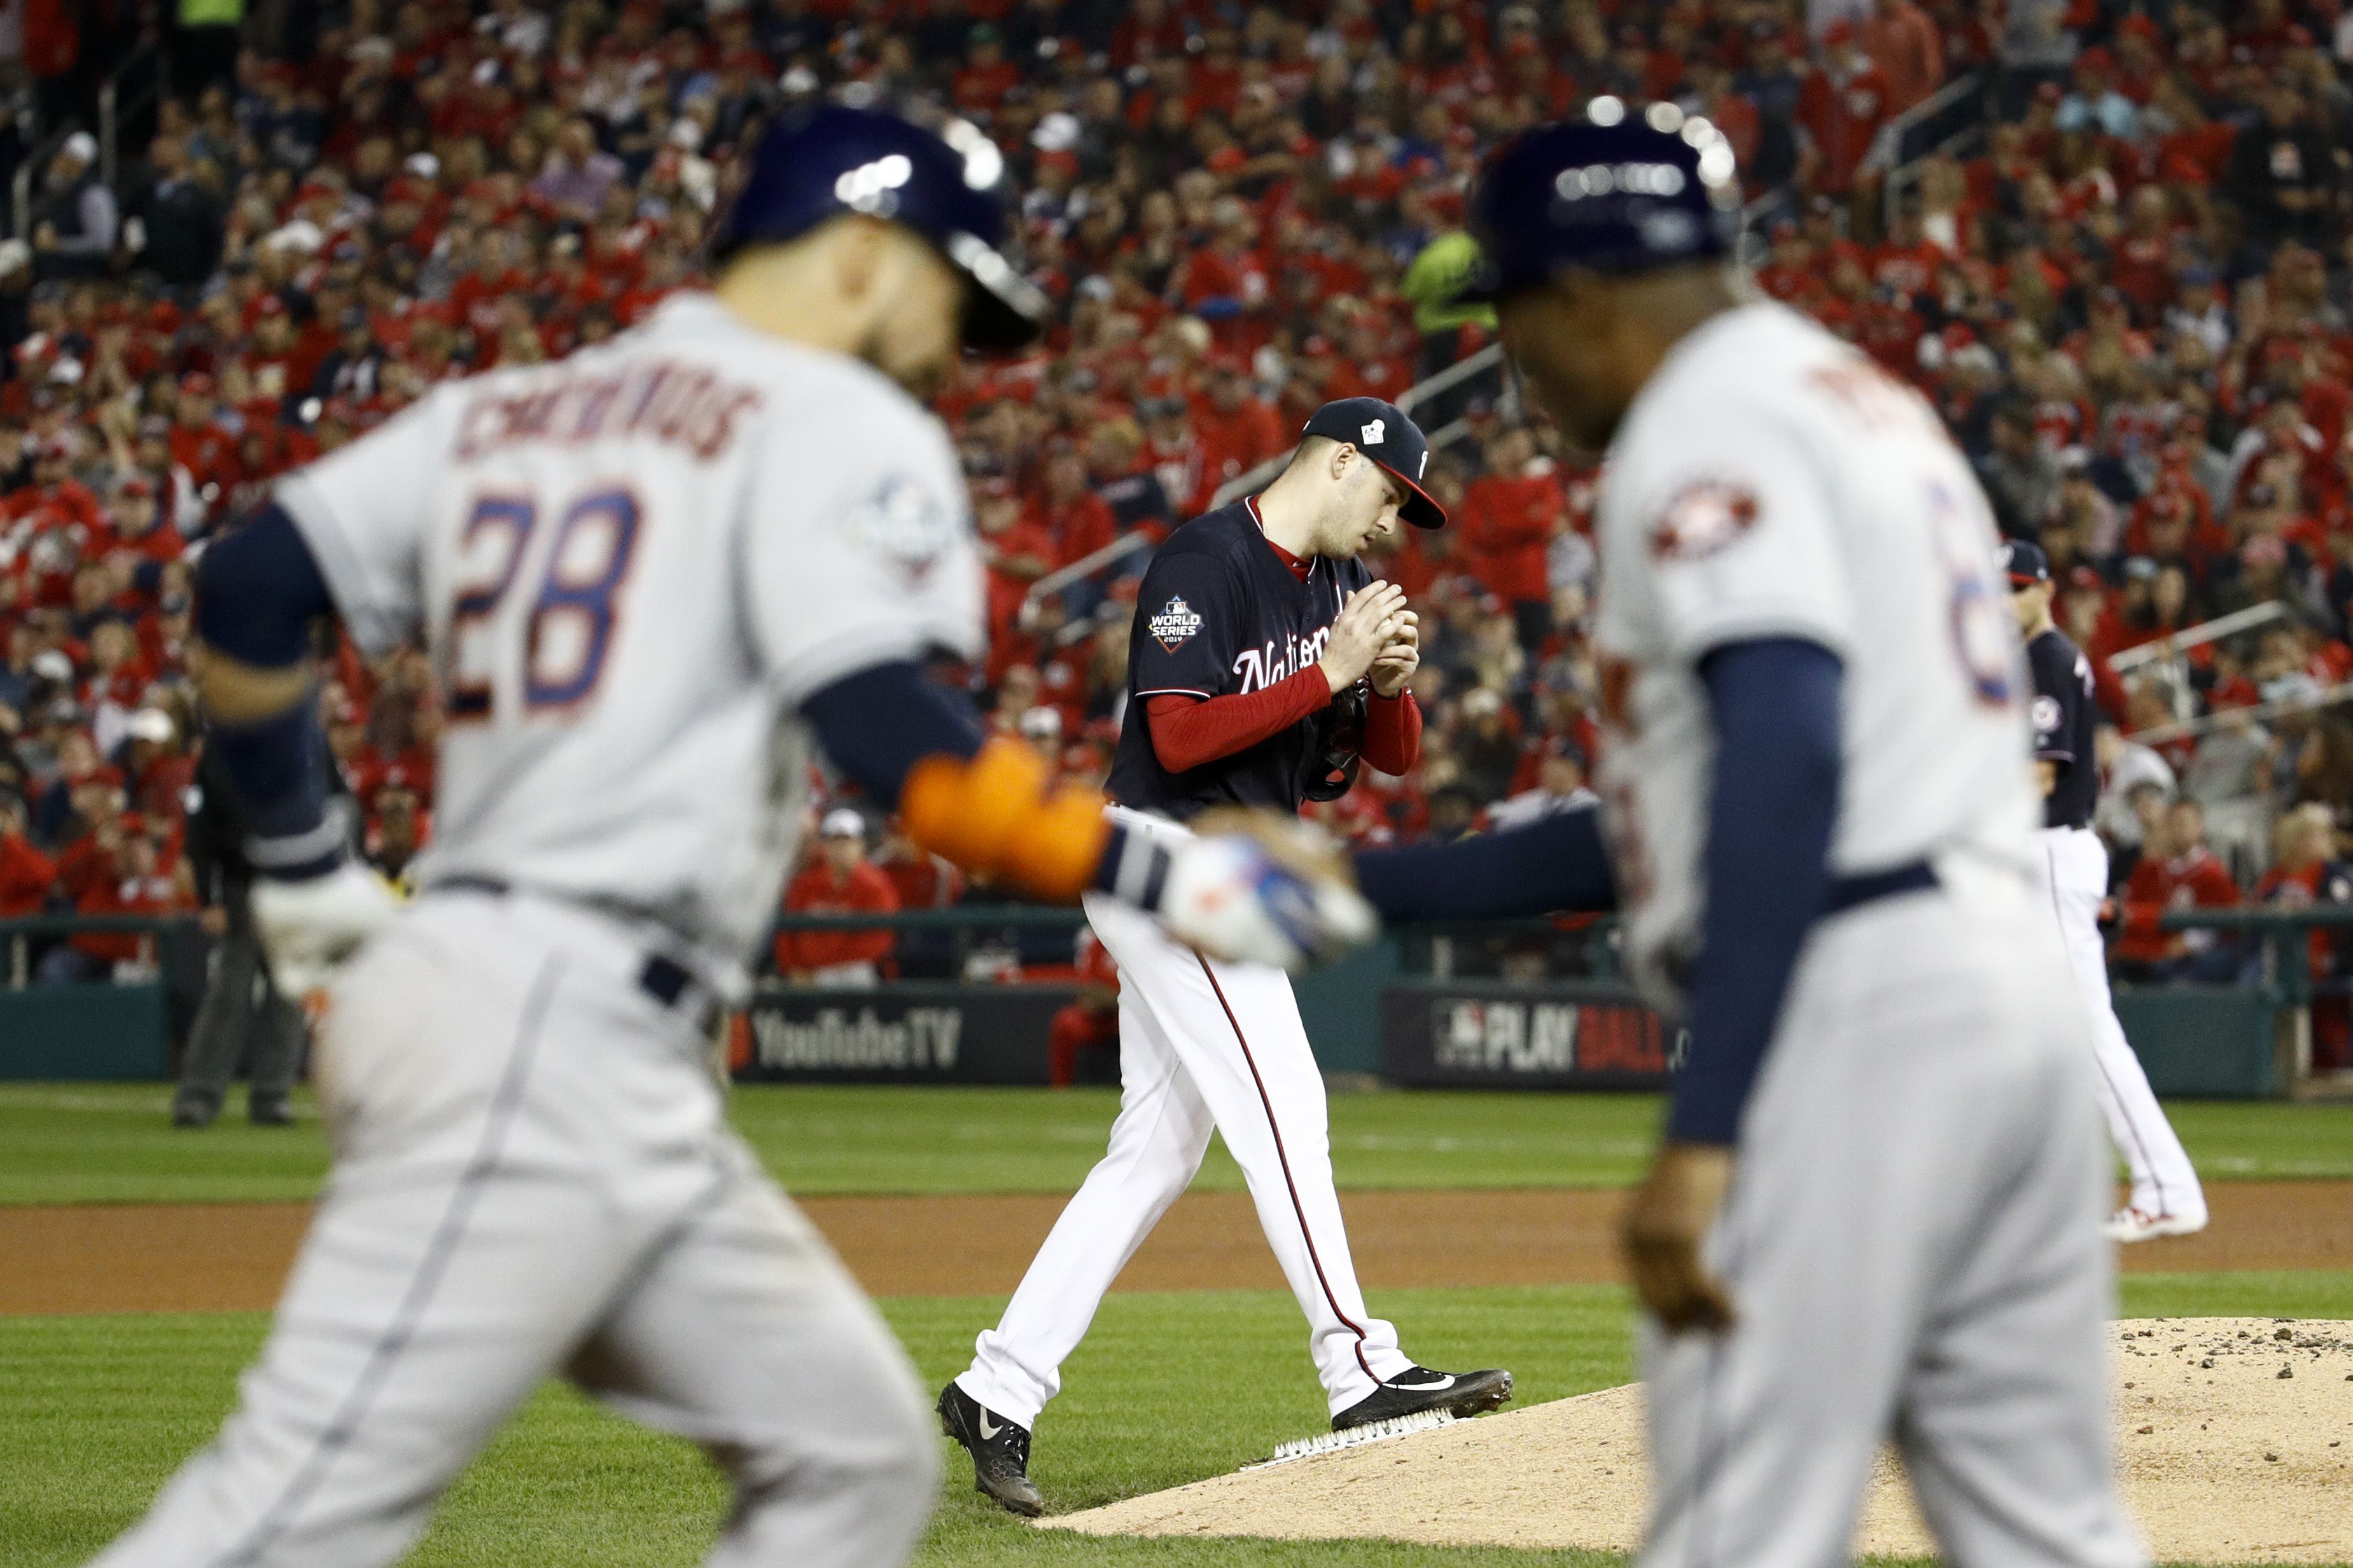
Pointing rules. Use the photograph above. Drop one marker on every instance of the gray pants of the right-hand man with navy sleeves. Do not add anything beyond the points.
(1914, 1254)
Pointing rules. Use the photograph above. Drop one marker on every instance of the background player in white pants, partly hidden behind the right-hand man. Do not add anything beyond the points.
(2074, 871)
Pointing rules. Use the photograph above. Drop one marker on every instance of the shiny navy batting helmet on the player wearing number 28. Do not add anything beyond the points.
(945, 185)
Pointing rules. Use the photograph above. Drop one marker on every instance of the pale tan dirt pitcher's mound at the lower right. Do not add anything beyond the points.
(2234, 1435)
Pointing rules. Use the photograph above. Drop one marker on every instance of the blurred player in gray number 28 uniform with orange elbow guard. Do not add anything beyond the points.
(651, 577)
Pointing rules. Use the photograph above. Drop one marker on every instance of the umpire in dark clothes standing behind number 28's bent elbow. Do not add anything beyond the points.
(244, 1019)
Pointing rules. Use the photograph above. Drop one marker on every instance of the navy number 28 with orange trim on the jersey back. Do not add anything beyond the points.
(573, 617)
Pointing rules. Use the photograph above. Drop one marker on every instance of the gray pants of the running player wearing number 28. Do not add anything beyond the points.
(535, 1177)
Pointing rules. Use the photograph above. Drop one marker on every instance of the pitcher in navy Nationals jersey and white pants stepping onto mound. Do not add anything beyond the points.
(1265, 659)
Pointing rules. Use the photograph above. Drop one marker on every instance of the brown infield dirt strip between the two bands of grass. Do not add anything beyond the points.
(234, 1257)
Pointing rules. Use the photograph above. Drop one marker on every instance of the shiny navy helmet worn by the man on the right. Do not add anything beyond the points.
(1620, 192)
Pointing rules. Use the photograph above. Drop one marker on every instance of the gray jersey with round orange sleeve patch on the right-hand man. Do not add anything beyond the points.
(1775, 483)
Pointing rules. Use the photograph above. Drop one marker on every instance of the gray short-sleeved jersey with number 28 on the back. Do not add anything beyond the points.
(629, 570)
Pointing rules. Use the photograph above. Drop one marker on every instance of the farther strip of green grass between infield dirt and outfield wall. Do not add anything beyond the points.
(109, 1144)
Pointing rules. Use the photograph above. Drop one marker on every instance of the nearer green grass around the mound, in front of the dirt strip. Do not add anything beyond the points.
(1166, 1391)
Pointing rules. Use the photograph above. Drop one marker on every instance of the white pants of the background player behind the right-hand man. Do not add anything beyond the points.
(2074, 876)
